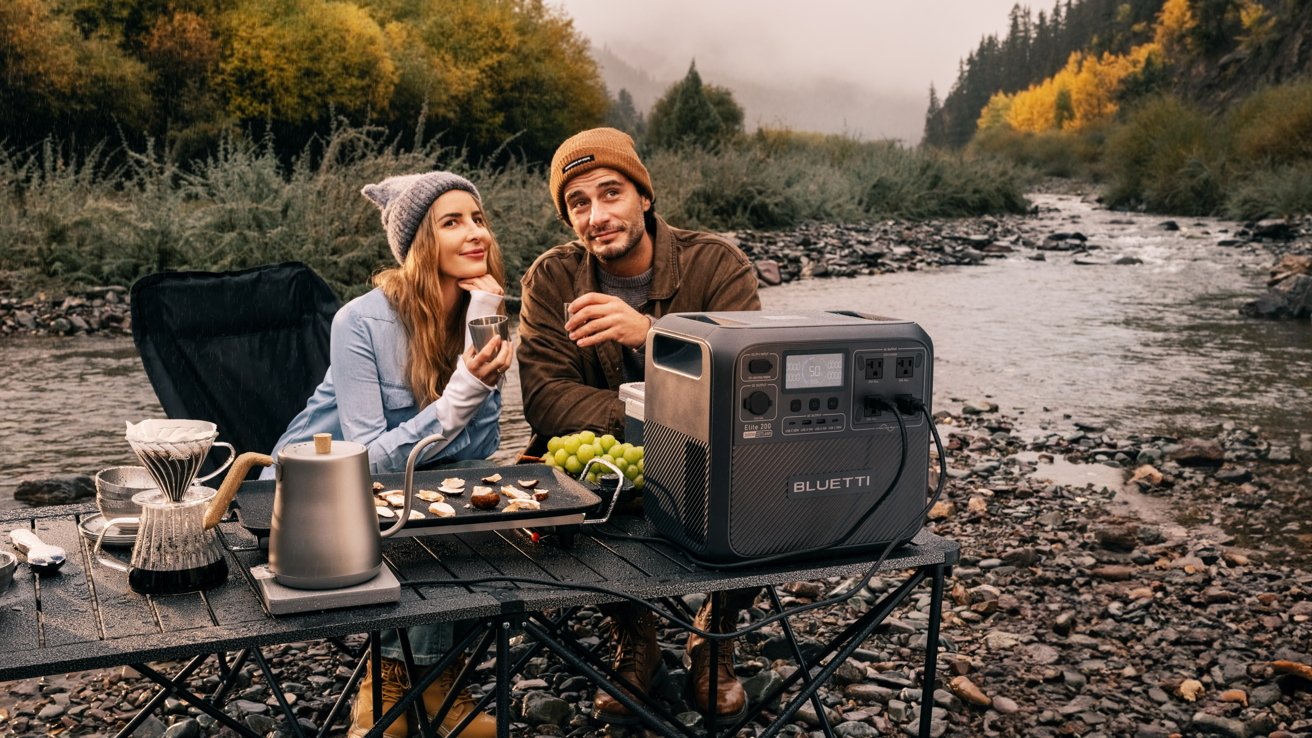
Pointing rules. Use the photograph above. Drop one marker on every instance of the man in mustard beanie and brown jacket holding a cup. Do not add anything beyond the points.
(587, 309)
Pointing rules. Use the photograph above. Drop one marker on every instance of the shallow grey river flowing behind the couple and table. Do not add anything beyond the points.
(1157, 347)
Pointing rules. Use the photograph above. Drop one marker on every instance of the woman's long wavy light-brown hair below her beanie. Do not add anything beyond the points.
(435, 332)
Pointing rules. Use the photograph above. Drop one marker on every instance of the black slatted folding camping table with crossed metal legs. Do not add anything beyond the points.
(87, 618)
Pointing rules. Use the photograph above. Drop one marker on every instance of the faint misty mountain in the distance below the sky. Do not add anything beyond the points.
(823, 106)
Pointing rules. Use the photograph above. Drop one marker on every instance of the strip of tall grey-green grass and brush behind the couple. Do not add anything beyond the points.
(113, 216)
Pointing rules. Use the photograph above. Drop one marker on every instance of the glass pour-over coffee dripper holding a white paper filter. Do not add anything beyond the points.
(173, 452)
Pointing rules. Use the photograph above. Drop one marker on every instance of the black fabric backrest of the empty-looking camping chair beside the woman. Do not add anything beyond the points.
(242, 350)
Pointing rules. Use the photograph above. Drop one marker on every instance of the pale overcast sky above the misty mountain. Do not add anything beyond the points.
(893, 49)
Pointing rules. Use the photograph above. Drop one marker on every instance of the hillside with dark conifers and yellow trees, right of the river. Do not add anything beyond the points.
(1188, 107)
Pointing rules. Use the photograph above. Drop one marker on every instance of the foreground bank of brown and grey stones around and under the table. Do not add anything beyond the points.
(1069, 615)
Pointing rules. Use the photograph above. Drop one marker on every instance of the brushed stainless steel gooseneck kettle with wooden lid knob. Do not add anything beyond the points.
(325, 532)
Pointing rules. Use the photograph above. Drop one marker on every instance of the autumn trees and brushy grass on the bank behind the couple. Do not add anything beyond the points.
(220, 135)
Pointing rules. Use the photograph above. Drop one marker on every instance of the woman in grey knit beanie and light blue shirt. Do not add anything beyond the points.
(402, 368)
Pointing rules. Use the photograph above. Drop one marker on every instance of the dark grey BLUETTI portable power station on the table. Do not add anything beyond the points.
(766, 435)
